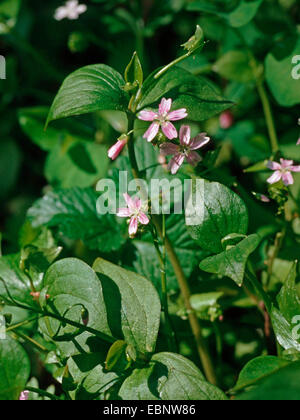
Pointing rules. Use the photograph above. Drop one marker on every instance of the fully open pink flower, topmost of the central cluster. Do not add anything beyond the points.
(161, 119)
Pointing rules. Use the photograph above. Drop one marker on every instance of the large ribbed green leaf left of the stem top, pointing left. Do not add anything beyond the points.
(89, 89)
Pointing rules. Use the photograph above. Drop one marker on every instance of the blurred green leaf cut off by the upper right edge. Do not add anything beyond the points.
(279, 72)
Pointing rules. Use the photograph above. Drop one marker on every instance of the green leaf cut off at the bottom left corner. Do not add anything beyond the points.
(14, 369)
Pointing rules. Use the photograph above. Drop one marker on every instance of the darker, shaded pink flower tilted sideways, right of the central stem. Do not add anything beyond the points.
(186, 150)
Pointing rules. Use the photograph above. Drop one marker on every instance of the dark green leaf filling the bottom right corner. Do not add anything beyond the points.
(282, 385)
